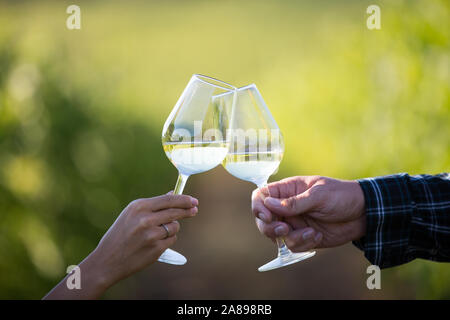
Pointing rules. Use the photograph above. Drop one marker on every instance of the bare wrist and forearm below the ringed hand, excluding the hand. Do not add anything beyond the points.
(93, 282)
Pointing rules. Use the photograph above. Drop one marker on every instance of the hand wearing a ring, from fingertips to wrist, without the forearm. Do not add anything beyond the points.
(137, 239)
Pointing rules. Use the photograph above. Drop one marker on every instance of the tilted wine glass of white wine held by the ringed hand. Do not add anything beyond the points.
(194, 134)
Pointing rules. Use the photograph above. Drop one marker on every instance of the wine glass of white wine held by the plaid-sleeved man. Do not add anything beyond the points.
(256, 150)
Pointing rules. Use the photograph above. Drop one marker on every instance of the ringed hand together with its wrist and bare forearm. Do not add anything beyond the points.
(135, 240)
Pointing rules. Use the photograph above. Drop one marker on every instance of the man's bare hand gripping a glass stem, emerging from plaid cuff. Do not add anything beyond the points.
(310, 211)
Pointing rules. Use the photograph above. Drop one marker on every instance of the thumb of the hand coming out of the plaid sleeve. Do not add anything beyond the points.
(291, 206)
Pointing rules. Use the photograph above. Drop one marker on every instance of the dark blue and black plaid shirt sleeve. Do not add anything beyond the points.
(408, 217)
